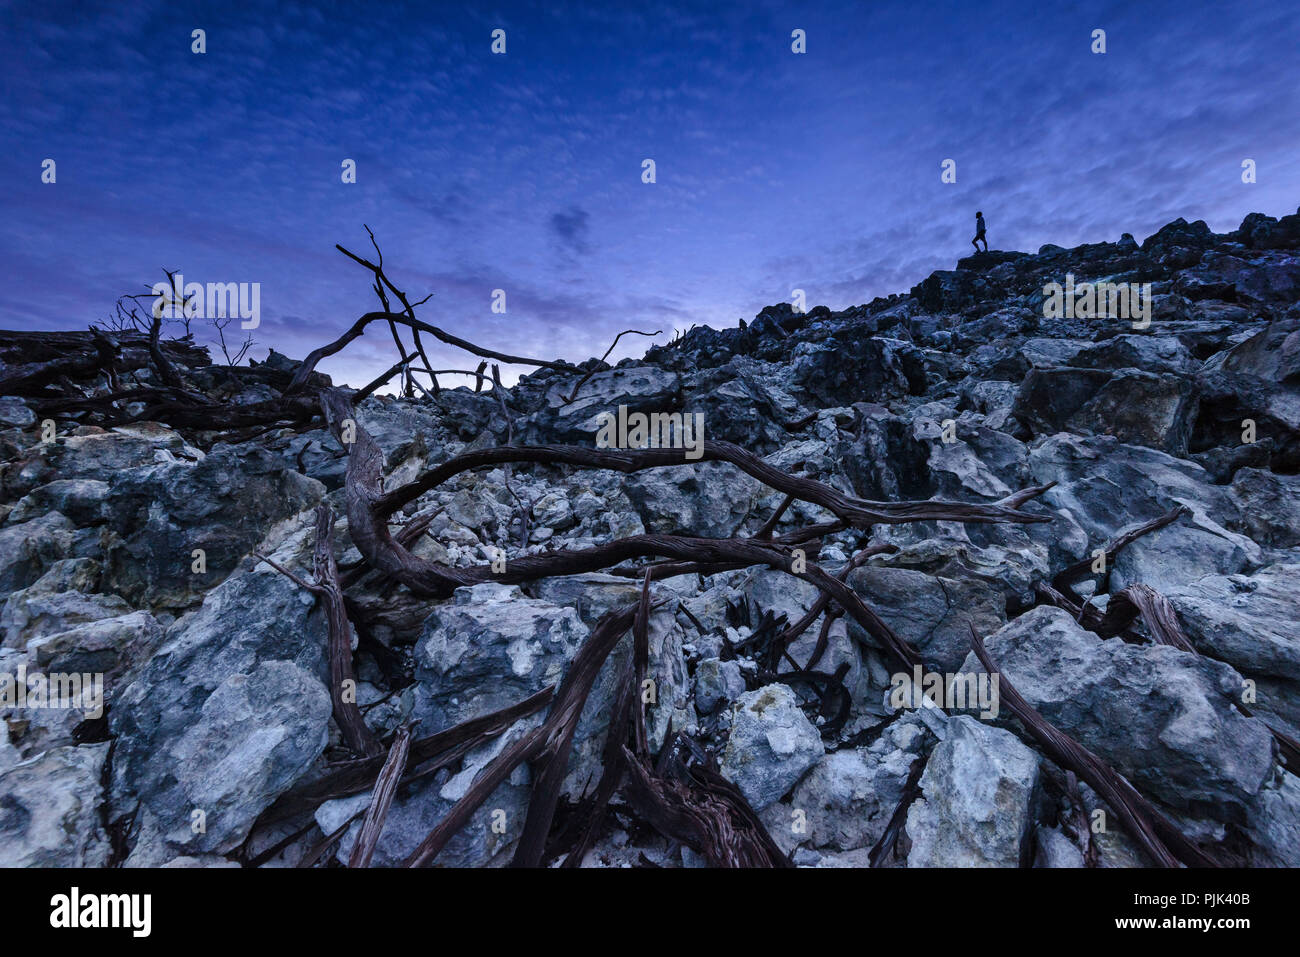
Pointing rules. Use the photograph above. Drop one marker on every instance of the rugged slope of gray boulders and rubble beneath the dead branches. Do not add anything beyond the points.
(218, 681)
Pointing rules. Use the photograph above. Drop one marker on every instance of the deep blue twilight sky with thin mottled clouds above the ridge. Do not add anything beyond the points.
(525, 172)
